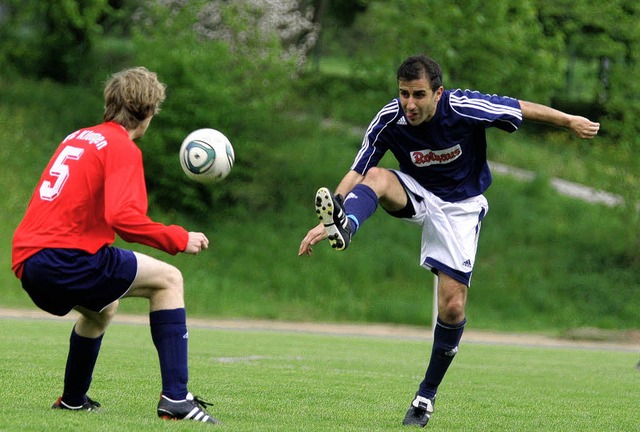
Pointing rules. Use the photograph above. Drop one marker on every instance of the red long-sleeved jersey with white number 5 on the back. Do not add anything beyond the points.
(92, 189)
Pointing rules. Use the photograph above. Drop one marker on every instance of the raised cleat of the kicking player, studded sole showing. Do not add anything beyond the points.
(331, 213)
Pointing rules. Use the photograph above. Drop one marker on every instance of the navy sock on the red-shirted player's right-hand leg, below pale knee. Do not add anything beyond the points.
(170, 337)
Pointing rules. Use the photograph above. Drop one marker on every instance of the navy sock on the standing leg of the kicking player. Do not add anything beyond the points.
(445, 346)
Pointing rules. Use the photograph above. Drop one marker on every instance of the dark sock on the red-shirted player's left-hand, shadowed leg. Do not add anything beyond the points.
(82, 357)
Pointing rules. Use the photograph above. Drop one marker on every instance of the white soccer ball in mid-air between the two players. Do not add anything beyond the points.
(206, 155)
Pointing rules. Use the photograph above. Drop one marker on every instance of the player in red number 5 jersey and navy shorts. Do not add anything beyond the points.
(92, 189)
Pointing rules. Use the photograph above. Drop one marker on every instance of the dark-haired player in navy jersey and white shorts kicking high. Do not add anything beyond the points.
(438, 138)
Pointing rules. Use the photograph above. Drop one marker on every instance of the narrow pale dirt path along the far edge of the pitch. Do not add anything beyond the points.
(586, 339)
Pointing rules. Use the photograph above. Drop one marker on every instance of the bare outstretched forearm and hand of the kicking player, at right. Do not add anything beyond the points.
(581, 127)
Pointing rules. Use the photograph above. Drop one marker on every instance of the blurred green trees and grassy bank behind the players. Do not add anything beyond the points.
(294, 84)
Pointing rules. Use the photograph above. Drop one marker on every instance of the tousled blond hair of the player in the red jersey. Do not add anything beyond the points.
(131, 96)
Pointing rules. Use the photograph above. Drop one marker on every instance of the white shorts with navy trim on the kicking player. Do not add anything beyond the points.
(450, 231)
